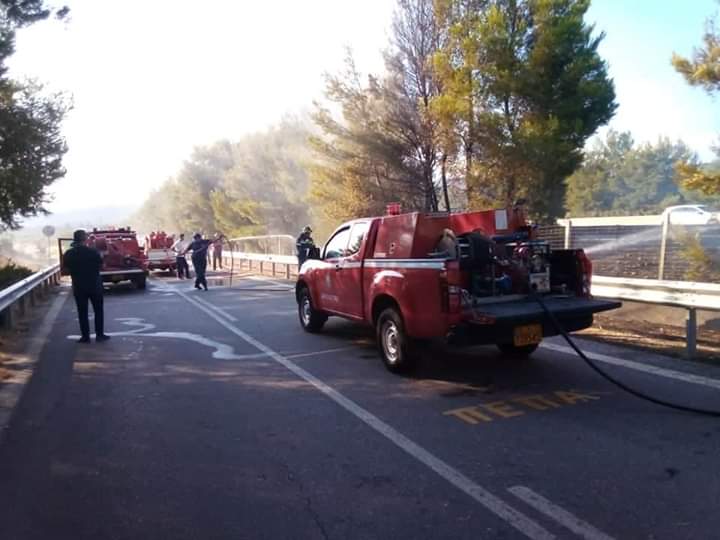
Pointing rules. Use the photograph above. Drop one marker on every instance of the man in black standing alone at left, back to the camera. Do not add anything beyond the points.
(84, 265)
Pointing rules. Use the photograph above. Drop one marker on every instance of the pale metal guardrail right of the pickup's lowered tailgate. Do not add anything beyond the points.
(683, 294)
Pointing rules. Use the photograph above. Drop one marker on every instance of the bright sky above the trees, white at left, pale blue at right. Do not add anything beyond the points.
(152, 79)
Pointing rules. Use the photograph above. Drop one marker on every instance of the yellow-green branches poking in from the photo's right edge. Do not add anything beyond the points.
(702, 70)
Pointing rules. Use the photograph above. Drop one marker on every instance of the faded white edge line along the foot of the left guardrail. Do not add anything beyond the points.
(11, 390)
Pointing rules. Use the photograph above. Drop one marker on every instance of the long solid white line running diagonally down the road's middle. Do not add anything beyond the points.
(494, 504)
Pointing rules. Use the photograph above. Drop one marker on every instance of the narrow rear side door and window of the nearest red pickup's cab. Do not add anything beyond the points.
(348, 276)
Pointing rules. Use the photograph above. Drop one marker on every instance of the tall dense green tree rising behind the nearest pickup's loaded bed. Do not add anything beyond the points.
(523, 89)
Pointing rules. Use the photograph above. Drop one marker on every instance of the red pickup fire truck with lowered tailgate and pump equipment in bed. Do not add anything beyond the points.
(468, 278)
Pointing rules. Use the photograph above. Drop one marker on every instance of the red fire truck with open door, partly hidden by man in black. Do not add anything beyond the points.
(123, 258)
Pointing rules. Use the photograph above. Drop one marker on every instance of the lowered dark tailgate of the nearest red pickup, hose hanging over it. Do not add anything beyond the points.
(527, 309)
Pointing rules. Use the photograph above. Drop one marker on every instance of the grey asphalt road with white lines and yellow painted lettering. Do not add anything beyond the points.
(213, 415)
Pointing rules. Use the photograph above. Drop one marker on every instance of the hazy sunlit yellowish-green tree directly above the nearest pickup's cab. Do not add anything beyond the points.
(360, 164)
